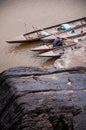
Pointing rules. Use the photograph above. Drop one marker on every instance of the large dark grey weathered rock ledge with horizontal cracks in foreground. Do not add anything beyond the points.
(36, 99)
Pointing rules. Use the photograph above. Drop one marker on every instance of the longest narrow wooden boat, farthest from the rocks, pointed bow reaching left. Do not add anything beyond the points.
(37, 34)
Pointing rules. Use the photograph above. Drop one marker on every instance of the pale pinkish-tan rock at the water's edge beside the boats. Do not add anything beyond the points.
(73, 57)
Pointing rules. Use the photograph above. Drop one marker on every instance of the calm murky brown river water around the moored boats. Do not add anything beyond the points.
(14, 14)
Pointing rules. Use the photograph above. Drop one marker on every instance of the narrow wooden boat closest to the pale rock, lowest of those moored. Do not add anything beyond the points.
(60, 50)
